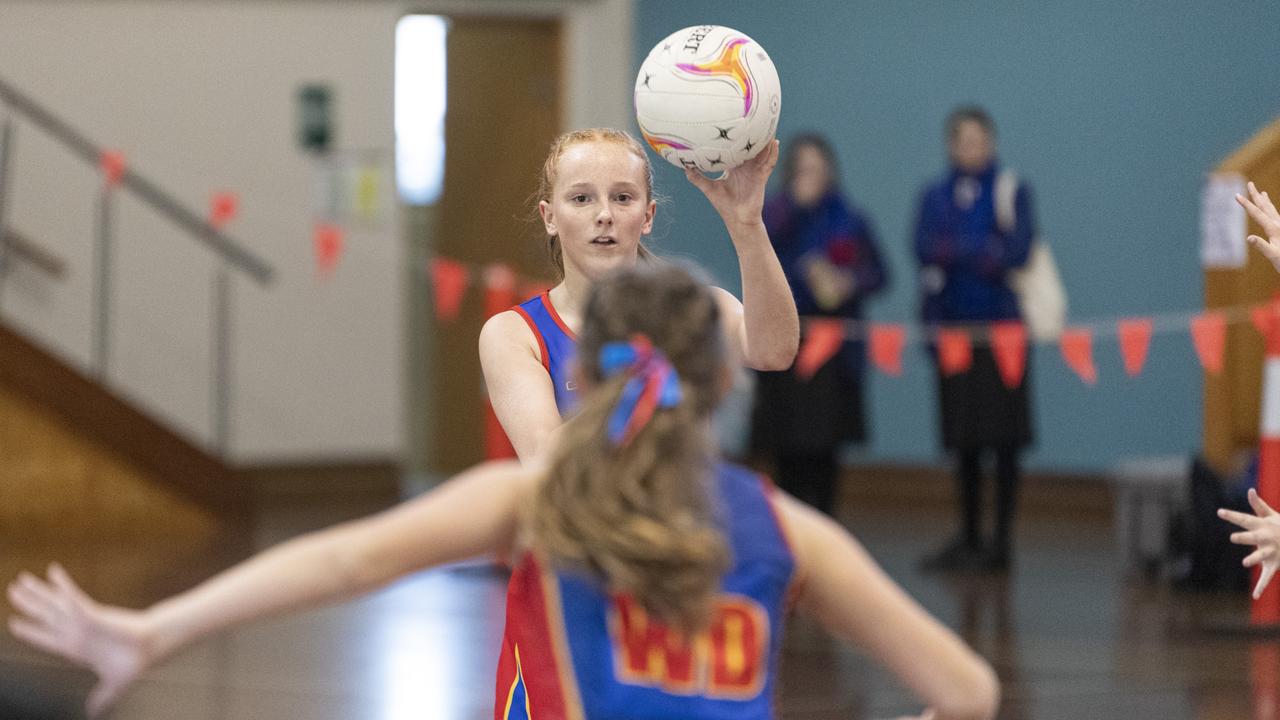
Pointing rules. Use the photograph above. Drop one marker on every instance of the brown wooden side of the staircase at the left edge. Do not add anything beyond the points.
(77, 461)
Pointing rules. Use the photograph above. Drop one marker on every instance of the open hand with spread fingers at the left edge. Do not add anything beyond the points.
(57, 617)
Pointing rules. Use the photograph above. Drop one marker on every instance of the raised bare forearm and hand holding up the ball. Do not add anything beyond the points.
(767, 330)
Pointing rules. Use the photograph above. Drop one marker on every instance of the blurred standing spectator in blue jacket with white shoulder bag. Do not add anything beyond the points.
(966, 261)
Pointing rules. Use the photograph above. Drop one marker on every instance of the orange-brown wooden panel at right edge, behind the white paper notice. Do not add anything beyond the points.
(1233, 400)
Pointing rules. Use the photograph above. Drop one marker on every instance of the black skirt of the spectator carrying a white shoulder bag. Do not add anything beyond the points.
(979, 411)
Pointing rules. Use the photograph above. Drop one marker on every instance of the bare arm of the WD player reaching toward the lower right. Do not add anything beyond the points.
(858, 603)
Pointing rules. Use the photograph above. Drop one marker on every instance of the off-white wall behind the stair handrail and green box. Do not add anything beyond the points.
(202, 97)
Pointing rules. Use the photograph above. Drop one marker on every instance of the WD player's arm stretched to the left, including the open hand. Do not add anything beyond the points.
(468, 517)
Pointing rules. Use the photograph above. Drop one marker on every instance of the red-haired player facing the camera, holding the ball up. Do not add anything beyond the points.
(597, 203)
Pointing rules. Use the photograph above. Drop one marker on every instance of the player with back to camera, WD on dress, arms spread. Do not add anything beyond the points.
(651, 578)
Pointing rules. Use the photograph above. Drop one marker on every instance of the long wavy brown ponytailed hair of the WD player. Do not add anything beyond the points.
(643, 514)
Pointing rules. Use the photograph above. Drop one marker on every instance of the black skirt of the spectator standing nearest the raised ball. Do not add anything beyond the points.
(811, 417)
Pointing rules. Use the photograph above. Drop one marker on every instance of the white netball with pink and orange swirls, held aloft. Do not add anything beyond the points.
(708, 98)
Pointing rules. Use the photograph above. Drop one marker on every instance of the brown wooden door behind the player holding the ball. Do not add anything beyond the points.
(504, 112)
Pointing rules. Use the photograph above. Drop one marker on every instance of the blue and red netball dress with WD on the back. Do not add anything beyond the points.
(574, 651)
